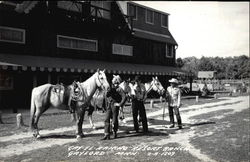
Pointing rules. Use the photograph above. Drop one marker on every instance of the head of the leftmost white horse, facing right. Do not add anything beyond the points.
(101, 80)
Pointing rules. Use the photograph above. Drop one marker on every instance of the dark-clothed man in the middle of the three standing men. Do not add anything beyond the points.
(138, 105)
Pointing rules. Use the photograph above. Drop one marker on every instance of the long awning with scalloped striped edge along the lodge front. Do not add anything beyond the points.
(55, 64)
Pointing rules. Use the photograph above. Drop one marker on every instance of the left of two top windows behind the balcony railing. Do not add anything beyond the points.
(69, 5)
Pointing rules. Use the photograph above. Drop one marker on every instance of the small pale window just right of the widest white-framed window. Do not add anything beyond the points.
(120, 49)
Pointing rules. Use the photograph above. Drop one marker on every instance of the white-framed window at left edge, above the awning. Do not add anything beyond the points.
(13, 35)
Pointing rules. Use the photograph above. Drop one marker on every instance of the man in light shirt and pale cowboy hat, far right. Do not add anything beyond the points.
(174, 100)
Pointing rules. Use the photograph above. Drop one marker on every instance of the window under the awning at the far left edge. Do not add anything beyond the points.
(6, 81)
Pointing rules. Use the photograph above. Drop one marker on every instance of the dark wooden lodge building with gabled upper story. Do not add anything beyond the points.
(62, 41)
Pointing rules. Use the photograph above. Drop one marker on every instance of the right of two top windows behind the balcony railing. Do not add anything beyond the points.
(101, 9)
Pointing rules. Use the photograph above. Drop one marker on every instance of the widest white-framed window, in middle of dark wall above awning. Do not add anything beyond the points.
(77, 43)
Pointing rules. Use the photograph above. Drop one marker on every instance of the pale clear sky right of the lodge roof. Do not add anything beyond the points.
(207, 29)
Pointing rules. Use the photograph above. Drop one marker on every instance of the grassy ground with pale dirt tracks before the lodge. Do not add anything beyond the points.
(215, 131)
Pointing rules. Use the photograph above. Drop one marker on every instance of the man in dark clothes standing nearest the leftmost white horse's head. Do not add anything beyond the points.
(116, 98)
